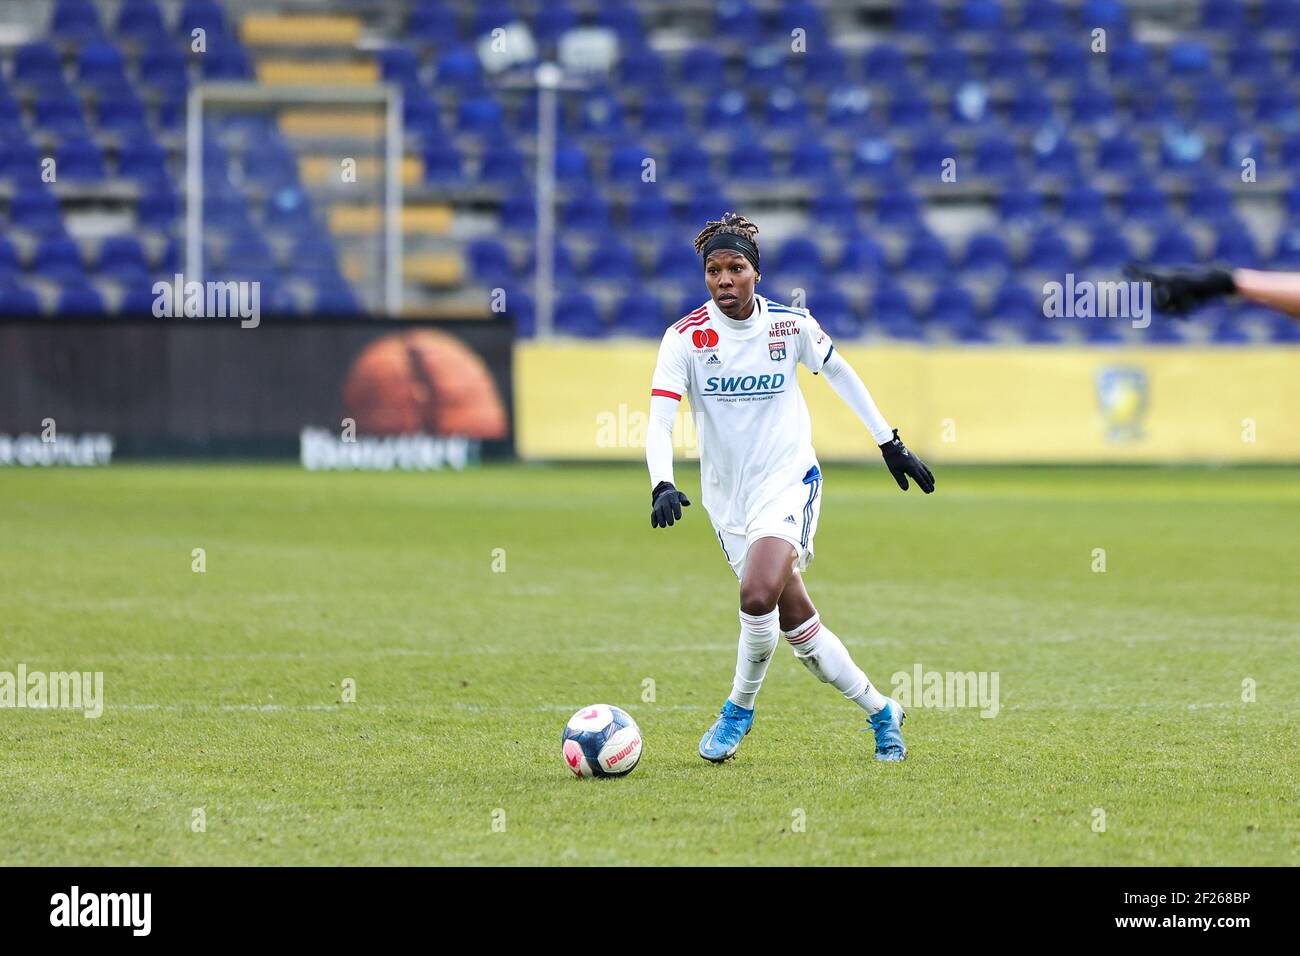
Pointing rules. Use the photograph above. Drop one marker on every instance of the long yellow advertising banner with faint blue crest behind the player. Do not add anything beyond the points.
(978, 405)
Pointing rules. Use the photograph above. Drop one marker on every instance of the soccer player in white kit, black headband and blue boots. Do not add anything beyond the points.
(736, 358)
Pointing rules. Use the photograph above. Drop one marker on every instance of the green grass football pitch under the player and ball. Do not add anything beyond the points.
(1119, 691)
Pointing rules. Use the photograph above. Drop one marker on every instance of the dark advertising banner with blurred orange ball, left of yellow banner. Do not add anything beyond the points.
(339, 395)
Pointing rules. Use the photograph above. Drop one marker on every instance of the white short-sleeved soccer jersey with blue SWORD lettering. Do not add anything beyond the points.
(756, 439)
